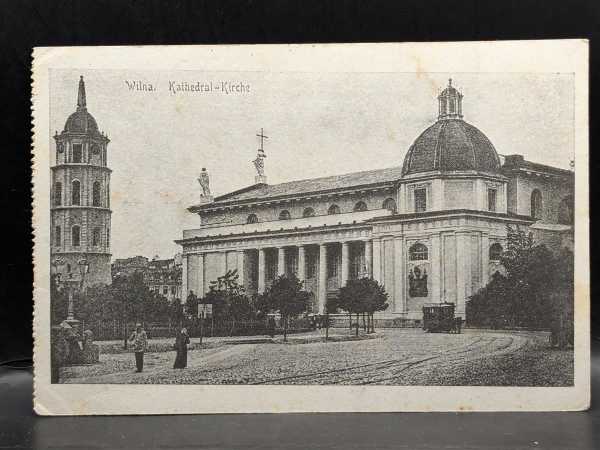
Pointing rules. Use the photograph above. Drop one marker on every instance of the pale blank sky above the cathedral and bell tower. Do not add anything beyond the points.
(318, 124)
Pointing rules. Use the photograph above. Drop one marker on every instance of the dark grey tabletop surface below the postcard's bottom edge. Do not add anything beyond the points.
(20, 429)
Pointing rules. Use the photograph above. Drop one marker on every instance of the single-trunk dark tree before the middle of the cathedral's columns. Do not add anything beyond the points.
(287, 296)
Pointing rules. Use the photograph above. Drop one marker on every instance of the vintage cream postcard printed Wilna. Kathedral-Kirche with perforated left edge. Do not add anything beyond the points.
(305, 228)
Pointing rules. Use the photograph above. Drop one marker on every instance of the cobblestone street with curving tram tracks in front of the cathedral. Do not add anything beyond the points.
(394, 357)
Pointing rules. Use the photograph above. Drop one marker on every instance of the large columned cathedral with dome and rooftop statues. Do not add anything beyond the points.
(431, 230)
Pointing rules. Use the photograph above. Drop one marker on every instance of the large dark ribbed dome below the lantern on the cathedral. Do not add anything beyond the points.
(450, 145)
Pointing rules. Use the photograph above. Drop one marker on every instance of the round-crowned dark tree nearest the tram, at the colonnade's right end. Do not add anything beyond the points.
(363, 295)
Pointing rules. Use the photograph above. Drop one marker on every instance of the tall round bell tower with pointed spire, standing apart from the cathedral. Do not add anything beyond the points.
(80, 199)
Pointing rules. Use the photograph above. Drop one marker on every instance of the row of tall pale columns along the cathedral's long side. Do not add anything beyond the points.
(322, 261)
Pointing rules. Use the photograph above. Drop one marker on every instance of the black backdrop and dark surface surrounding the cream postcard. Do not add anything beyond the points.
(25, 24)
